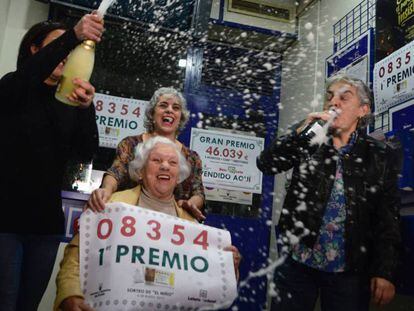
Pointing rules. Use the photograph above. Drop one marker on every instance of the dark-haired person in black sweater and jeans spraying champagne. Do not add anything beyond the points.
(42, 135)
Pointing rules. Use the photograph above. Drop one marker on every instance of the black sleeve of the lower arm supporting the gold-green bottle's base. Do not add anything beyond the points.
(86, 138)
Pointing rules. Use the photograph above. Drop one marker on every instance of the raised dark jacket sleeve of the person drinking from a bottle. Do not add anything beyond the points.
(283, 153)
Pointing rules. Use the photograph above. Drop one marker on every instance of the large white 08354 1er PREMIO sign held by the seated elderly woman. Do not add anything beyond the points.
(133, 258)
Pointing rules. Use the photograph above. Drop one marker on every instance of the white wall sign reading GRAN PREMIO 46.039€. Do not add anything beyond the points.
(229, 160)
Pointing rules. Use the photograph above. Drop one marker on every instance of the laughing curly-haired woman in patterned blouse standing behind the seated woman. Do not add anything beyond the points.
(165, 116)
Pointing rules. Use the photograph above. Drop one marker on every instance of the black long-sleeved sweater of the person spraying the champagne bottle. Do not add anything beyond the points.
(39, 136)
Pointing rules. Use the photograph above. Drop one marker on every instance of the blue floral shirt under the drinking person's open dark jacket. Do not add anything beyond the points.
(328, 253)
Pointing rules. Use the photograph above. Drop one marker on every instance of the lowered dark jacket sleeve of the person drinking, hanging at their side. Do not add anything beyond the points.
(387, 230)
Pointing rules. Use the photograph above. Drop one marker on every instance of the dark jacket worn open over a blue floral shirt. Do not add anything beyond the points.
(370, 173)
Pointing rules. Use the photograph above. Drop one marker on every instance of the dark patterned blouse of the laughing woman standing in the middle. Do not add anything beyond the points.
(125, 153)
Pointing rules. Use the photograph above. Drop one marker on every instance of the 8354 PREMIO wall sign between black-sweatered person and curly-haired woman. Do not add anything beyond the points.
(118, 117)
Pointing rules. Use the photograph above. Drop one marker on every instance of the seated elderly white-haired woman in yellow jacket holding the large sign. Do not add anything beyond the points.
(161, 166)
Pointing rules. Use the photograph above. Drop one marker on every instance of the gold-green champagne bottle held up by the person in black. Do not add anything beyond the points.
(78, 65)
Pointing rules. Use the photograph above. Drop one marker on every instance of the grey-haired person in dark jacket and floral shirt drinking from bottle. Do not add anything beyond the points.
(339, 228)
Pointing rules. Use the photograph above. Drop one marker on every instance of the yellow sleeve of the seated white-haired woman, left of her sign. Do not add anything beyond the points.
(68, 280)
